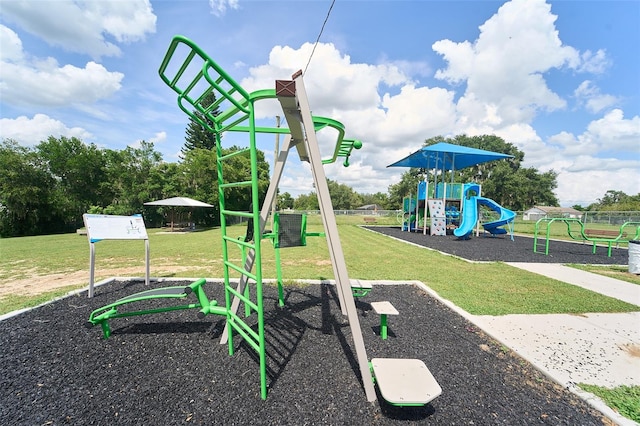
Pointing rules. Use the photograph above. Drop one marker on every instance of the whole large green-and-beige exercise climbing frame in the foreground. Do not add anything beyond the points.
(194, 76)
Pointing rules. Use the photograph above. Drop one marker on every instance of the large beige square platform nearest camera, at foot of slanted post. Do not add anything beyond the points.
(405, 381)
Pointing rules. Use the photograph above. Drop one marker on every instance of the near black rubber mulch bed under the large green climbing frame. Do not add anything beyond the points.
(169, 368)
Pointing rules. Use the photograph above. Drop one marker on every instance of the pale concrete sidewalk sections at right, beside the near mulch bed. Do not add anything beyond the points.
(592, 348)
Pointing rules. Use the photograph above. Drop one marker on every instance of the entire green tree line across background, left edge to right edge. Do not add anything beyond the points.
(47, 188)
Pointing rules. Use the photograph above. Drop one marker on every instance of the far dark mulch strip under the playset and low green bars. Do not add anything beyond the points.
(502, 249)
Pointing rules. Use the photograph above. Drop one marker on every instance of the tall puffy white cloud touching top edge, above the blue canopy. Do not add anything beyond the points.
(504, 68)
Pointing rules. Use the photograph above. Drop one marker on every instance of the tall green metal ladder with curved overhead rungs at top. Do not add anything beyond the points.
(195, 77)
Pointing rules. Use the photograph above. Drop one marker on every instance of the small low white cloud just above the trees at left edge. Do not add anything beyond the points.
(31, 131)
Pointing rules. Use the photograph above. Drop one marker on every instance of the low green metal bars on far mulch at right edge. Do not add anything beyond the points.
(577, 231)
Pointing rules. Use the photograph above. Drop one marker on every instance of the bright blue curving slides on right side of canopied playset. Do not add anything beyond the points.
(470, 214)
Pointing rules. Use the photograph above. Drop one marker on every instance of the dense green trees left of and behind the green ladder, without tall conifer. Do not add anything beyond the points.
(46, 189)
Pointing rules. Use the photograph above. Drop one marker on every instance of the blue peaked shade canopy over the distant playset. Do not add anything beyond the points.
(446, 156)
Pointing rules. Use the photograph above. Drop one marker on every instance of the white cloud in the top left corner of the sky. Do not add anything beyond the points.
(84, 26)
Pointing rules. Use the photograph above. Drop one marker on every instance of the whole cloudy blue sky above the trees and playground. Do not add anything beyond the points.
(558, 79)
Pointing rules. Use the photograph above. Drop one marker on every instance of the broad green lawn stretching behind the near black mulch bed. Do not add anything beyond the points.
(480, 289)
